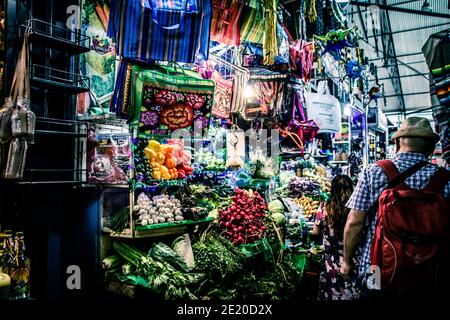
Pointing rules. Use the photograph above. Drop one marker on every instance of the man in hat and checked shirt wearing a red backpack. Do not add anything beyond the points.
(402, 208)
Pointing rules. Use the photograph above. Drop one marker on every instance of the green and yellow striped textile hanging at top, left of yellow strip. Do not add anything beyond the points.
(252, 29)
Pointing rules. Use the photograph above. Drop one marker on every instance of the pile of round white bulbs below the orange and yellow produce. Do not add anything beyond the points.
(159, 209)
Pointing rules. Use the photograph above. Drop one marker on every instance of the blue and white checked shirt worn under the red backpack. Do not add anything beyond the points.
(371, 184)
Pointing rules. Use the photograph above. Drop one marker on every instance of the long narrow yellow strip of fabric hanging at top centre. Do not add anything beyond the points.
(270, 43)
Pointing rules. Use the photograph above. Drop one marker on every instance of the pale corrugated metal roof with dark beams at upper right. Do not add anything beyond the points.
(410, 31)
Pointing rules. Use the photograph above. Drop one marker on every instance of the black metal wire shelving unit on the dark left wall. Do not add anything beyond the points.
(54, 48)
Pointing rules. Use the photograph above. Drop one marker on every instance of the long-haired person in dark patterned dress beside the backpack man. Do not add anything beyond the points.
(331, 224)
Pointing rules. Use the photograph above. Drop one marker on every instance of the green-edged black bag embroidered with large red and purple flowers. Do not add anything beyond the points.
(168, 99)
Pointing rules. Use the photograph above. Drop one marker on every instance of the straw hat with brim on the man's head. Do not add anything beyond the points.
(416, 127)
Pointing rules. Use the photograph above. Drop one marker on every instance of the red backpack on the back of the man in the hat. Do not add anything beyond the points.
(412, 234)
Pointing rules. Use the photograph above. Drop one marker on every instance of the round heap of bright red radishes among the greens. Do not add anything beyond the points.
(243, 221)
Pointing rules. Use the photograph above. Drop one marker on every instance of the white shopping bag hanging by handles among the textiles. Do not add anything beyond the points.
(324, 109)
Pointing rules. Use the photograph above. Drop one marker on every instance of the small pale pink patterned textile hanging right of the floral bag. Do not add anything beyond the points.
(222, 96)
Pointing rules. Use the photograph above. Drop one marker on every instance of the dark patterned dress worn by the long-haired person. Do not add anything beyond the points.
(331, 284)
